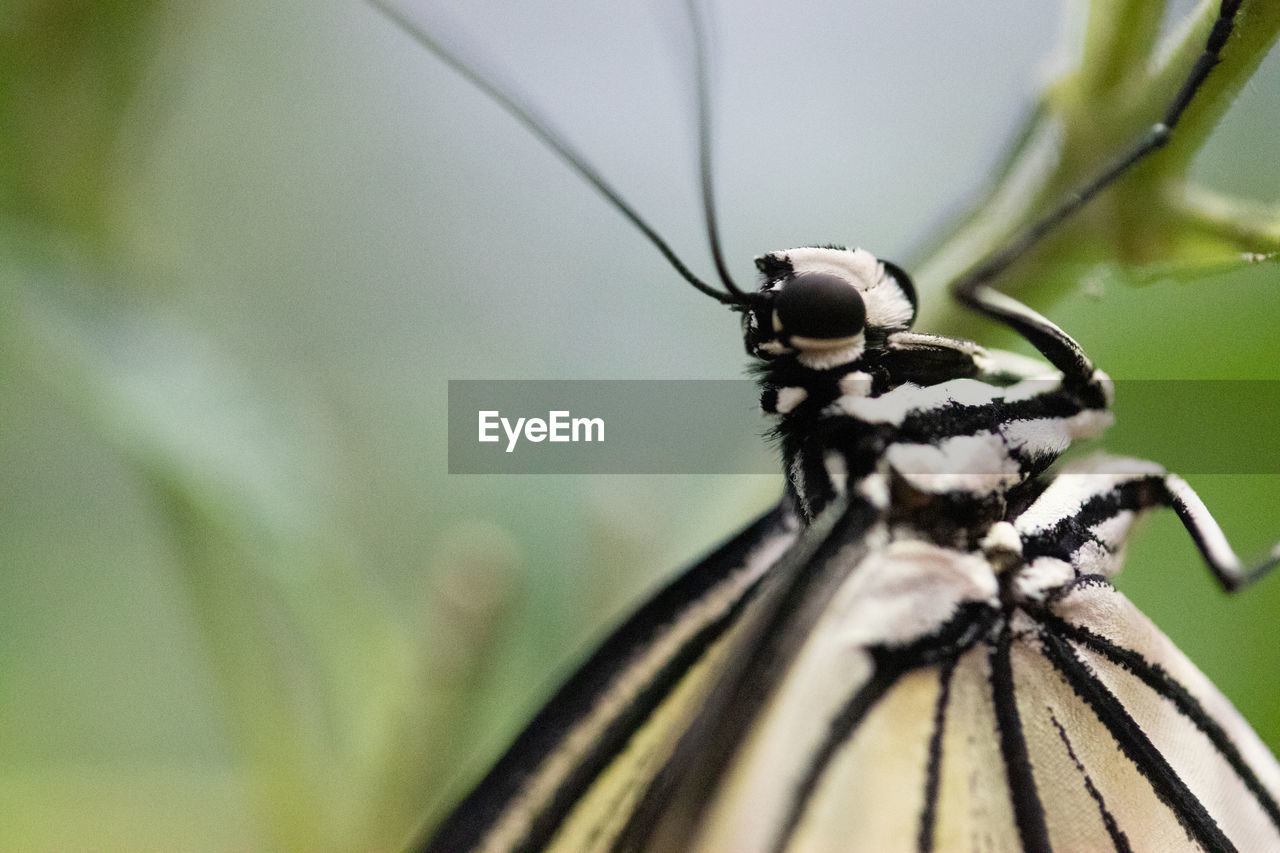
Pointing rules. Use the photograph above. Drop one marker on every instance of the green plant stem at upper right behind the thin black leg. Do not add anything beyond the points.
(1085, 121)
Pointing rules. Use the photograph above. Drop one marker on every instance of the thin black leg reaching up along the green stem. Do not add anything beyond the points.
(973, 289)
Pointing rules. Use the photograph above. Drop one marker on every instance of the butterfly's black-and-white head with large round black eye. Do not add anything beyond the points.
(826, 305)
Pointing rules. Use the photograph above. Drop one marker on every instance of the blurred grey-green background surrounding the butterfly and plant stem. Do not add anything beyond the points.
(243, 249)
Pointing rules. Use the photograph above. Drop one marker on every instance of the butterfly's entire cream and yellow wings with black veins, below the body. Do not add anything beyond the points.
(863, 695)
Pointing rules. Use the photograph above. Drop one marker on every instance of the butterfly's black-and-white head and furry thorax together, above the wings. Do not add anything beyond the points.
(941, 435)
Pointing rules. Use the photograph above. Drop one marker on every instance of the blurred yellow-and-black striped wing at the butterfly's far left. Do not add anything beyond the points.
(577, 761)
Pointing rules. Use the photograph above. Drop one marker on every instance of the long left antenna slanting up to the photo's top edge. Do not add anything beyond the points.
(542, 129)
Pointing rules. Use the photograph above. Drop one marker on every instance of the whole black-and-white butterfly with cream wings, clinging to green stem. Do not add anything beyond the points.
(921, 645)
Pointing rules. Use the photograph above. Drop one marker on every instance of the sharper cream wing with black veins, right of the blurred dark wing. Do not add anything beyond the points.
(921, 711)
